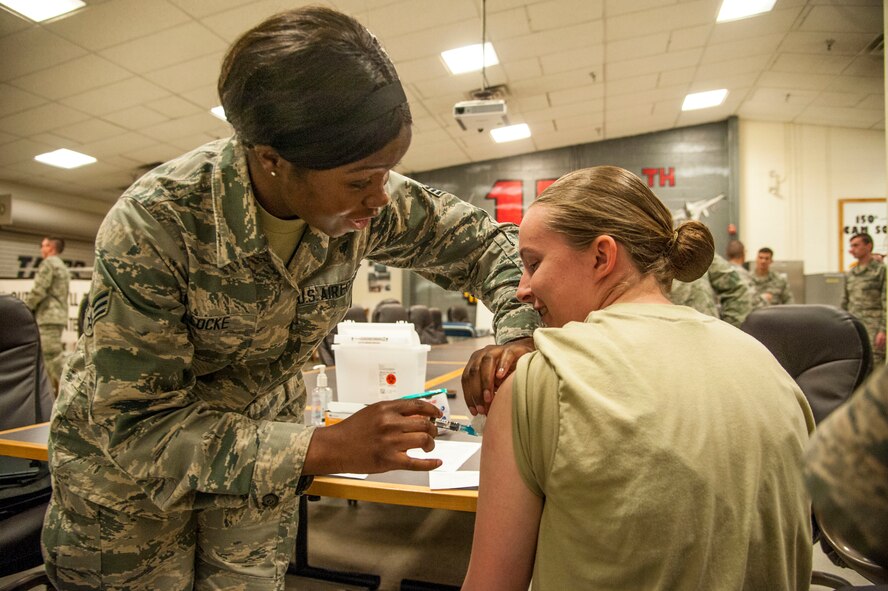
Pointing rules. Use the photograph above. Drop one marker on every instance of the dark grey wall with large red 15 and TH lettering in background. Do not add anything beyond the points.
(680, 165)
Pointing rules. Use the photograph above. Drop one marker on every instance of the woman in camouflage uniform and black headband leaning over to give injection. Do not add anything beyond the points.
(177, 445)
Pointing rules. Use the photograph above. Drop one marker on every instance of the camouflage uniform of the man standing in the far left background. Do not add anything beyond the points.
(48, 299)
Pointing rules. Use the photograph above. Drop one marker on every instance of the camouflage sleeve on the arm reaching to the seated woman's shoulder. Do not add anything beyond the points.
(457, 246)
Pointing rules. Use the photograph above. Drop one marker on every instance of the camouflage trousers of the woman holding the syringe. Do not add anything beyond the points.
(89, 546)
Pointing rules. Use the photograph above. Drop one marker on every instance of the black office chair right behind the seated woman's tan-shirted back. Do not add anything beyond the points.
(828, 353)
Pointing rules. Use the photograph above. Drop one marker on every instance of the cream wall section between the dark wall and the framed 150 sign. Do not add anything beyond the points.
(799, 217)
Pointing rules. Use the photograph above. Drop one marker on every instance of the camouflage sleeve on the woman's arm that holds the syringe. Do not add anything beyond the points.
(183, 448)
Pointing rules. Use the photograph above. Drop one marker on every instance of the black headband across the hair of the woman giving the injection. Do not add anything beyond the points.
(379, 102)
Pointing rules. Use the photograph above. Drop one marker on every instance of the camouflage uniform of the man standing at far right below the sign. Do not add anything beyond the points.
(865, 298)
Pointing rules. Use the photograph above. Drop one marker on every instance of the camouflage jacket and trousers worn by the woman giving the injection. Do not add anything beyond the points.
(181, 412)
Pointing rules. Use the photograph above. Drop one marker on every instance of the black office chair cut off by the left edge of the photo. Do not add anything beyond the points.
(26, 398)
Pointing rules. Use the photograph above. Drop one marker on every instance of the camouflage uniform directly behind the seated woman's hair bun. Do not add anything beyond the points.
(720, 287)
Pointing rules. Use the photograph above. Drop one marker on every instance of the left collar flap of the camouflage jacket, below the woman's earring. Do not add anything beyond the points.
(234, 207)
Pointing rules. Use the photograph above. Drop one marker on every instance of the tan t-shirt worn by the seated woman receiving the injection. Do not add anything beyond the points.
(668, 446)
